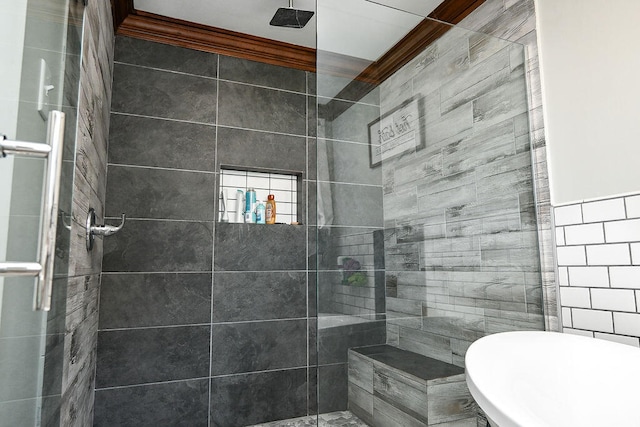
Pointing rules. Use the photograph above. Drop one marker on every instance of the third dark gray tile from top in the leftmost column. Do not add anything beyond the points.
(164, 143)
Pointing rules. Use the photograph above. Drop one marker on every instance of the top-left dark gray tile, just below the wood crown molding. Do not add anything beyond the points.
(163, 56)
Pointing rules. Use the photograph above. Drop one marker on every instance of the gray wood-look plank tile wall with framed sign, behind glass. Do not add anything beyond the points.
(461, 219)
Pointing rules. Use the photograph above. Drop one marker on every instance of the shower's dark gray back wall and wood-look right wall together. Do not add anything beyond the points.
(209, 323)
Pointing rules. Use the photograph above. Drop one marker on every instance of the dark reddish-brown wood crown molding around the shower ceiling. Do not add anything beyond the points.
(162, 29)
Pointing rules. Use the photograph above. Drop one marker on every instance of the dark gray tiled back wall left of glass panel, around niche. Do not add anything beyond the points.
(202, 323)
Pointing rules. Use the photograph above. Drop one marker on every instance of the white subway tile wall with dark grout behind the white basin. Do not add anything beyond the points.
(598, 259)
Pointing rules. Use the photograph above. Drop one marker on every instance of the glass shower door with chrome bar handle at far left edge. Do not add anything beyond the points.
(39, 74)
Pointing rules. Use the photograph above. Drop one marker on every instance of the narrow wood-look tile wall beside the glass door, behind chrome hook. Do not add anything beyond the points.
(89, 187)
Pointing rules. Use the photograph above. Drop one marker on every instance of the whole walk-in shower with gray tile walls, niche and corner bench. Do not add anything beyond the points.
(410, 214)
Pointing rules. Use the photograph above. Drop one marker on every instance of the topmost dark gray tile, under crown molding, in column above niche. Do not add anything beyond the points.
(261, 74)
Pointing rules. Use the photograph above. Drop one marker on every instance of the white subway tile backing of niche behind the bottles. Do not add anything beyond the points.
(284, 188)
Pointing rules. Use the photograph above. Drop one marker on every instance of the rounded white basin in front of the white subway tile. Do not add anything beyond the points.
(552, 379)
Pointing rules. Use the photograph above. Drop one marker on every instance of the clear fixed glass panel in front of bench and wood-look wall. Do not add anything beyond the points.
(427, 230)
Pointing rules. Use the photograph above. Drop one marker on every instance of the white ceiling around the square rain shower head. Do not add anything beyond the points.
(359, 28)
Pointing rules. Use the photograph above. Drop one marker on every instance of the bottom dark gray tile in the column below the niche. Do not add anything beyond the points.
(240, 400)
